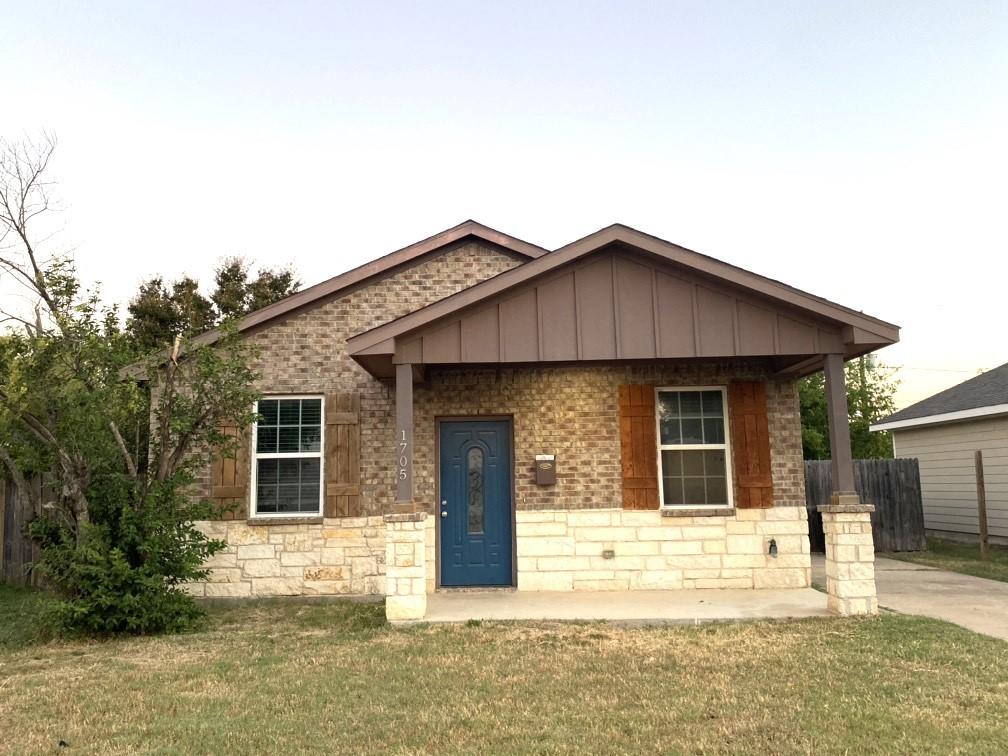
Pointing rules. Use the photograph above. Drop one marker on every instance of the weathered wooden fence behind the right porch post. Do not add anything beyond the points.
(894, 486)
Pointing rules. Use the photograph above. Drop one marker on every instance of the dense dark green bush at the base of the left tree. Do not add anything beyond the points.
(123, 574)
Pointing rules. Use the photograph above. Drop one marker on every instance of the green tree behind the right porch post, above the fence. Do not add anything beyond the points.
(870, 392)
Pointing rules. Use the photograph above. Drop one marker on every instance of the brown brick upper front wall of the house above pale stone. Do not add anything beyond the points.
(571, 412)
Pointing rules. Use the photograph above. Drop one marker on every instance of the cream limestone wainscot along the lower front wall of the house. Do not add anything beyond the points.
(558, 551)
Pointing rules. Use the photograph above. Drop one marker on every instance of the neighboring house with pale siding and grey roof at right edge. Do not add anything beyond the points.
(945, 432)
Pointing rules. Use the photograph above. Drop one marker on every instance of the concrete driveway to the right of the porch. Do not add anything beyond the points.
(975, 603)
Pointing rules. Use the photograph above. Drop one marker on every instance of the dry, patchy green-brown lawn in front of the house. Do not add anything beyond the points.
(300, 677)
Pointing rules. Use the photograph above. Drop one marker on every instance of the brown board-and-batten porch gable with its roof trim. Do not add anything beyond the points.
(621, 295)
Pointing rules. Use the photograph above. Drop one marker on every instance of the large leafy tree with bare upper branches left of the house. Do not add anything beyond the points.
(116, 529)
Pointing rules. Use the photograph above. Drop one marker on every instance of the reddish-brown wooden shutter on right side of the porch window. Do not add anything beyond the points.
(750, 445)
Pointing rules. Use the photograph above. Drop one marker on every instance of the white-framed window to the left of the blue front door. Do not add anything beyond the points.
(287, 470)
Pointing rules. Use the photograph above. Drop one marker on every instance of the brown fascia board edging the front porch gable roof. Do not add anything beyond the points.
(888, 333)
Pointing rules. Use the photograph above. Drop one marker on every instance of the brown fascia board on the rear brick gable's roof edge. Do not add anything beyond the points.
(355, 277)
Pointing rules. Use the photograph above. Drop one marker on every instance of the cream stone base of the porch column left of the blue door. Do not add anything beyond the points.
(406, 567)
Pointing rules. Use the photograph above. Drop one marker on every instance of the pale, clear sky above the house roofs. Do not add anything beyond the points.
(855, 151)
